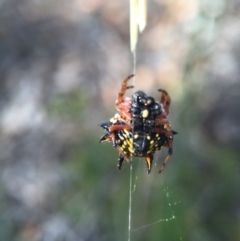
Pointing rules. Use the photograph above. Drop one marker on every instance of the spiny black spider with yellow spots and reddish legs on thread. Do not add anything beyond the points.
(140, 127)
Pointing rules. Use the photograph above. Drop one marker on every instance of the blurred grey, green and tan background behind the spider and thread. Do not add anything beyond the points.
(61, 67)
